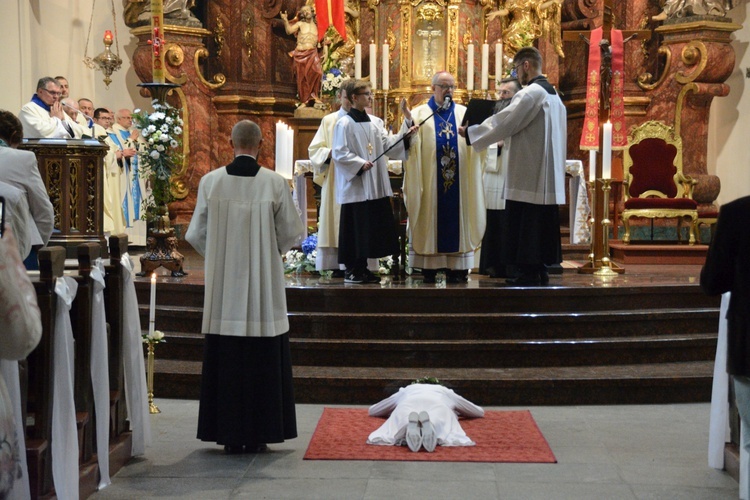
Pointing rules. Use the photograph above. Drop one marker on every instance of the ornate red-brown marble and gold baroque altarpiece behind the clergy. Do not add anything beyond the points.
(231, 59)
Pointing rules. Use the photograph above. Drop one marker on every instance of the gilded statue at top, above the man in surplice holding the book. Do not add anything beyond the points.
(526, 20)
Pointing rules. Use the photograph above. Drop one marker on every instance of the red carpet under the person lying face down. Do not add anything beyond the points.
(501, 436)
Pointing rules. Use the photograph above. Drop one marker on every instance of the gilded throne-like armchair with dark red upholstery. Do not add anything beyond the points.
(654, 185)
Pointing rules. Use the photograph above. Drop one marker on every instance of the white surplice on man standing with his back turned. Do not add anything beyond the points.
(242, 225)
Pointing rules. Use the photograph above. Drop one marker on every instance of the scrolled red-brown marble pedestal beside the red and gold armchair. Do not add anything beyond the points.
(699, 59)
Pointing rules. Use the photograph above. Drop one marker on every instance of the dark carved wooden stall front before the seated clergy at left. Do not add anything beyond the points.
(73, 170)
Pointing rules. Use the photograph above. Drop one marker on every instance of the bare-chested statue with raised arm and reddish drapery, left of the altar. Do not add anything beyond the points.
(307, 64)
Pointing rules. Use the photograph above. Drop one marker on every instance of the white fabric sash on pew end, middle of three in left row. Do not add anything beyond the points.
(100, 372)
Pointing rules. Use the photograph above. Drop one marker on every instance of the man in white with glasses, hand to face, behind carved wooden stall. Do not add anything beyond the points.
(43, 116)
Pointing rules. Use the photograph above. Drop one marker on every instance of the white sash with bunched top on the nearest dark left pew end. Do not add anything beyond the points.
(64, 434)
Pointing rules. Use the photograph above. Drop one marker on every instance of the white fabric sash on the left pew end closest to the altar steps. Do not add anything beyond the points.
(134, 367)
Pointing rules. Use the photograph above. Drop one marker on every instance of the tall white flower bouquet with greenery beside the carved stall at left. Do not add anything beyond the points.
(161, 150)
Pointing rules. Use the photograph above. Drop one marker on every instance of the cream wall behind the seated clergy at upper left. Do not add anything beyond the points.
(48, 38)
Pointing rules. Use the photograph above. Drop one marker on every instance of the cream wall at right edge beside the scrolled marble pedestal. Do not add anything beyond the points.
(729, 124)
